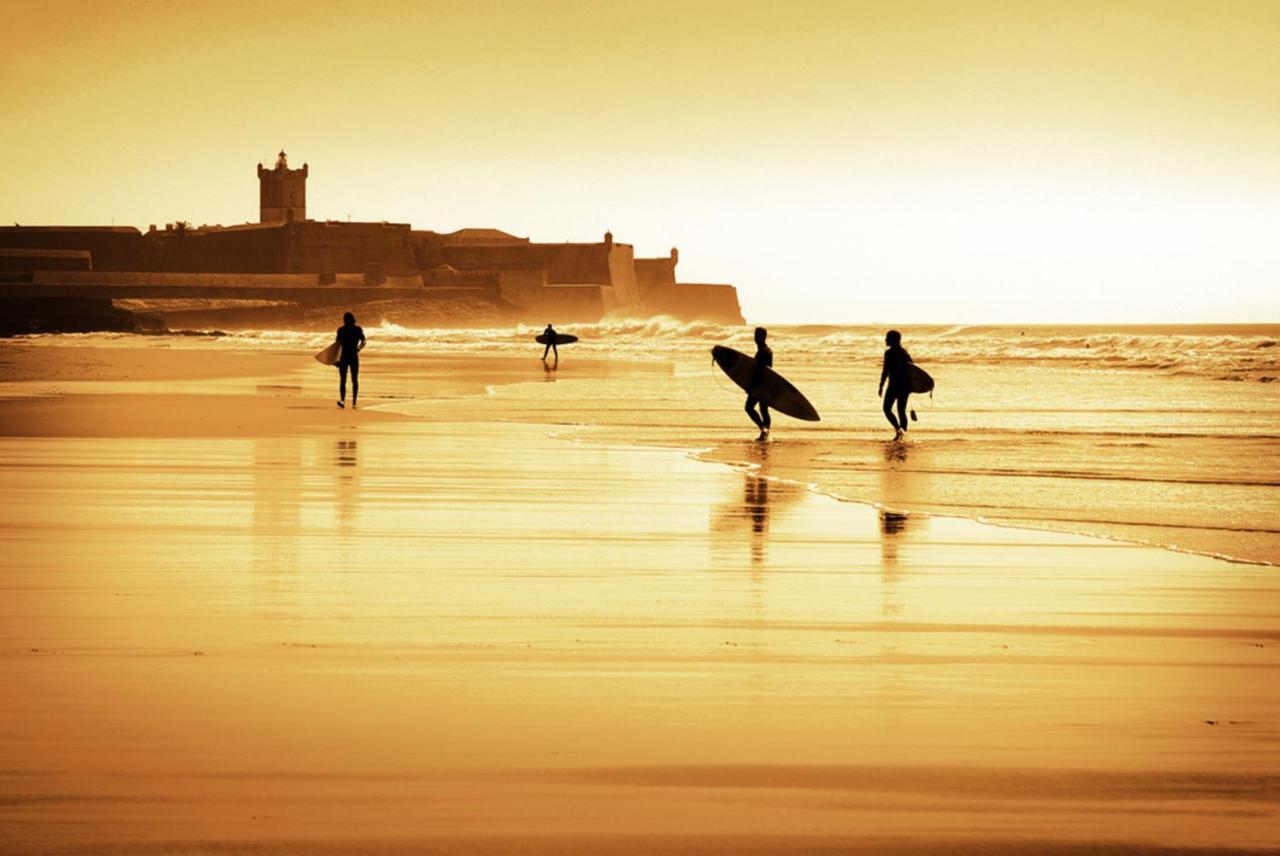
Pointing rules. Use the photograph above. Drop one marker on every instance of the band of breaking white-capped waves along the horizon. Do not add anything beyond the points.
(1235, 355)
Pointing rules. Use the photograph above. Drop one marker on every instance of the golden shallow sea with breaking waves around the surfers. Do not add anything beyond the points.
(1165, 436)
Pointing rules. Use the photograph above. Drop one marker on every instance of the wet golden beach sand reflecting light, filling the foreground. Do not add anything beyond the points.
(239, 620)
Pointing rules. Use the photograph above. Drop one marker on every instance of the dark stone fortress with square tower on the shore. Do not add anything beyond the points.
(258, 272)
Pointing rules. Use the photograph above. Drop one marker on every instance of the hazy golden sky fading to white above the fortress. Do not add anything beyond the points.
(838, 162)
